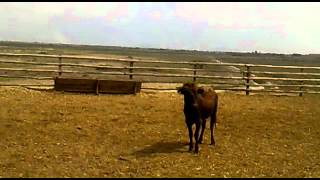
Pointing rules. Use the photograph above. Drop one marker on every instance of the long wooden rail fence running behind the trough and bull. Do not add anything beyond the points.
(223, 76)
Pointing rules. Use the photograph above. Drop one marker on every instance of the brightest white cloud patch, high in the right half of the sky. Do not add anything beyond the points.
(229, 15)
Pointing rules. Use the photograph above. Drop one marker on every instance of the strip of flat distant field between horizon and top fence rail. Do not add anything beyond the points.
(179, 55)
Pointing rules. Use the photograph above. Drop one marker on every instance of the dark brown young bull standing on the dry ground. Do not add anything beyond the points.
(199, 104)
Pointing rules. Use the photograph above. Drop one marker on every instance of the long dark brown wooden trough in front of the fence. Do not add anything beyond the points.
(97, 86)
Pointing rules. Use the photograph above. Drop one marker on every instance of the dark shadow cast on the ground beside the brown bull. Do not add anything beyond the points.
(162, 147)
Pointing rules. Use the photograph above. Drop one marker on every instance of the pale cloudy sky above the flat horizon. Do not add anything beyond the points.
(268, 27)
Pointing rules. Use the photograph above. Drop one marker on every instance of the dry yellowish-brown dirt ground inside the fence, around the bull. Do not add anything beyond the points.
(55, 134)
